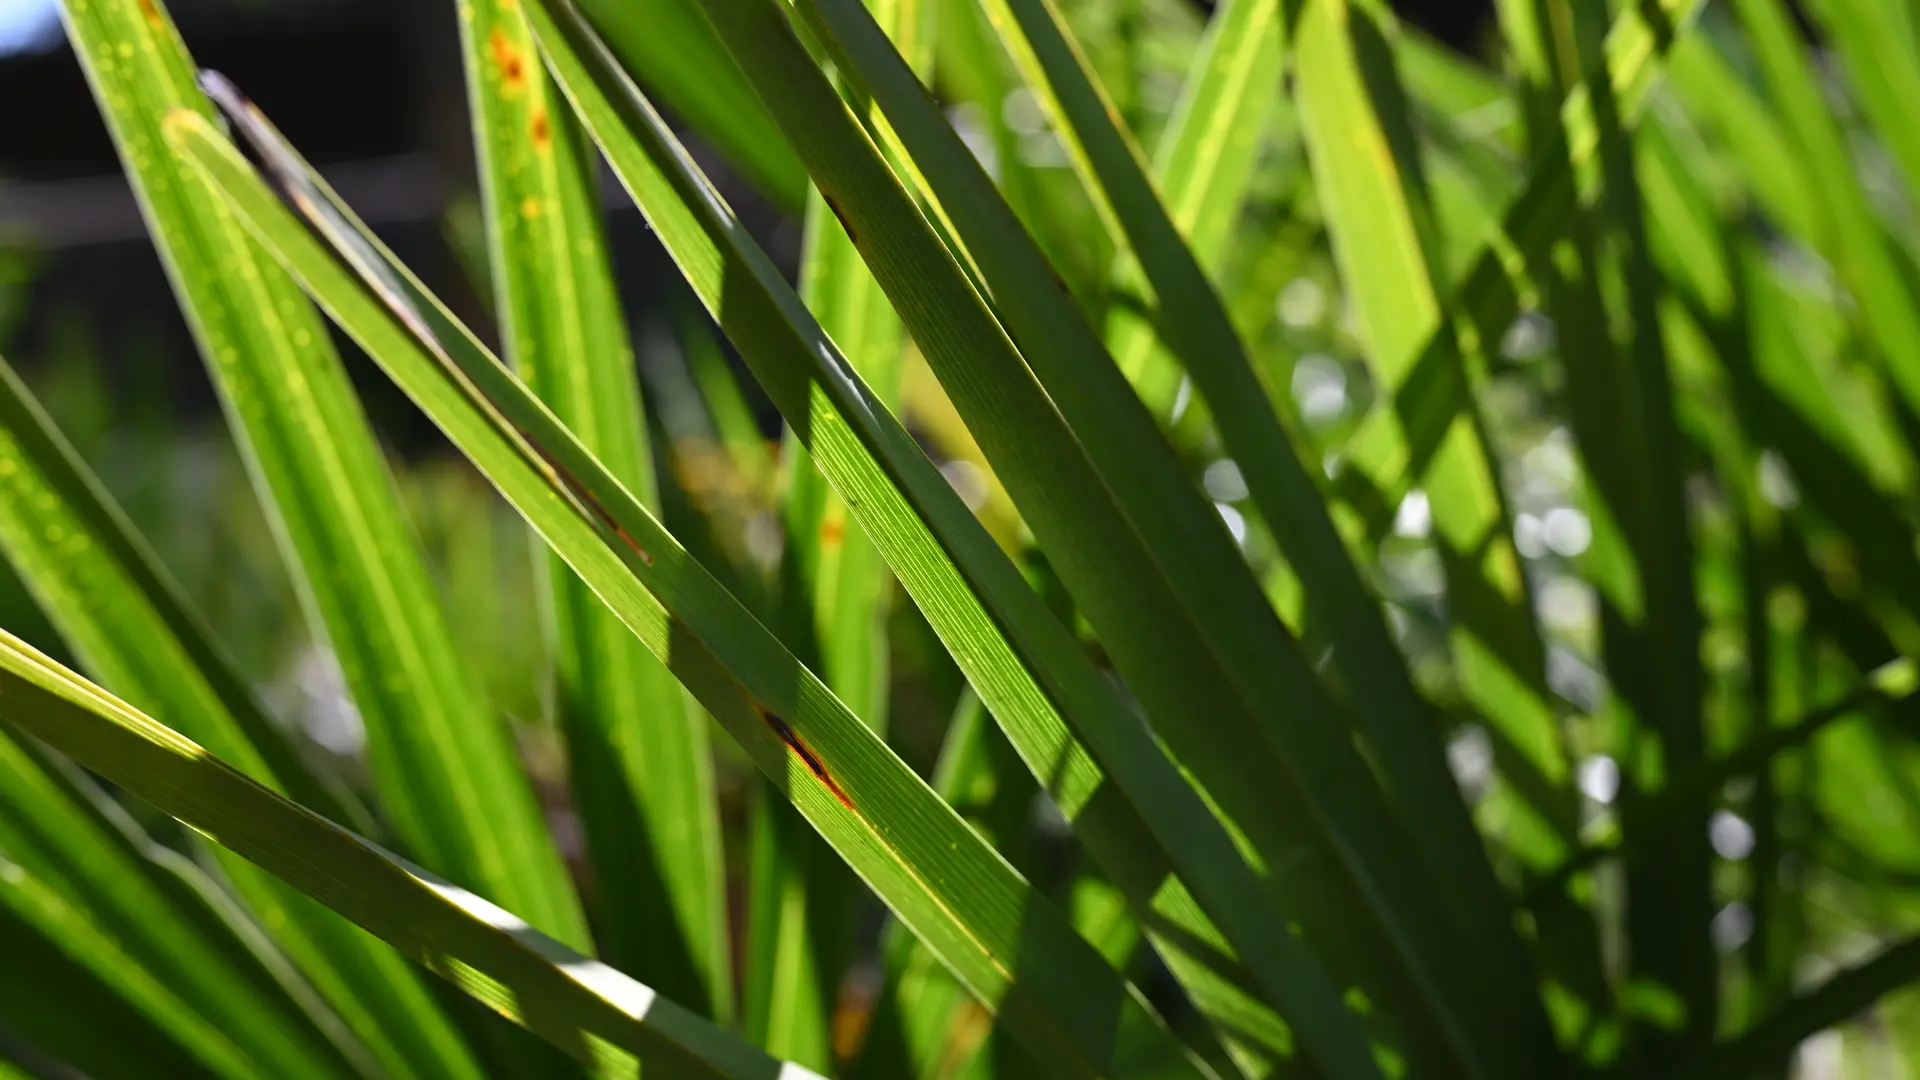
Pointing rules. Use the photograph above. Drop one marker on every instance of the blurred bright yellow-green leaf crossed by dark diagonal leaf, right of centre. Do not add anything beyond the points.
(1387, 243)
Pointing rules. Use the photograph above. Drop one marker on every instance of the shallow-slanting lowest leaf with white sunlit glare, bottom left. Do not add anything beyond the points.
(581, 1006)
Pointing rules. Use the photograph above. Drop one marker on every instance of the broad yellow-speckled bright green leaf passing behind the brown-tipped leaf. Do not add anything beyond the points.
(443, 764)
